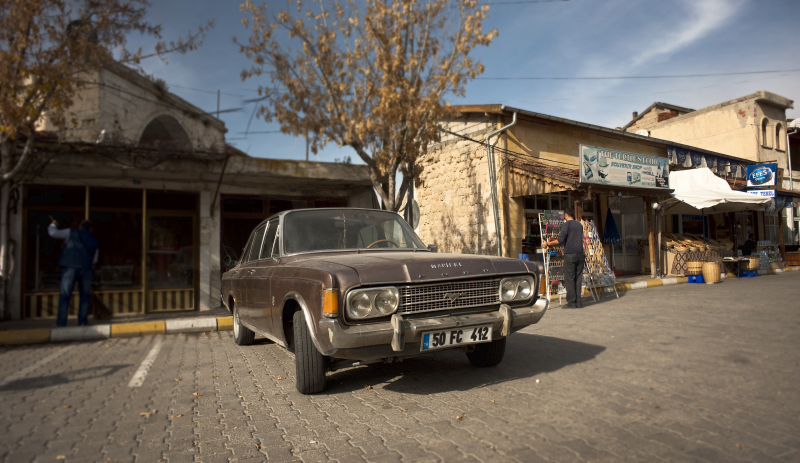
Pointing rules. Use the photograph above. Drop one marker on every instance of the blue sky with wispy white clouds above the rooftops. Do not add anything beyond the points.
(543, 39)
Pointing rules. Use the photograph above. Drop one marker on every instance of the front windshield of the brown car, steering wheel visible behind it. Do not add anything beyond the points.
(338, 229)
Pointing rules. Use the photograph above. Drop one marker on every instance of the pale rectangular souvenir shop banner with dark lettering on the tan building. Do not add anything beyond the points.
(610, 167)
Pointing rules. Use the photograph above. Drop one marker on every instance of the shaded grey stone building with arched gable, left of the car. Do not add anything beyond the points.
(172, 204)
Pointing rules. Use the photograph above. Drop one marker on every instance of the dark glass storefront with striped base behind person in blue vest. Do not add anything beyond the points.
(148, 265)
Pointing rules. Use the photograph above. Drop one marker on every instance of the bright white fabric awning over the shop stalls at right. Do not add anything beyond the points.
(699, 190)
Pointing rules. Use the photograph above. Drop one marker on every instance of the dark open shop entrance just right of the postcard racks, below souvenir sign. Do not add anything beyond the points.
(629, 215)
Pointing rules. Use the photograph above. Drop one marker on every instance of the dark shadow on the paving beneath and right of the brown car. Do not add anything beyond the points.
(527, 355)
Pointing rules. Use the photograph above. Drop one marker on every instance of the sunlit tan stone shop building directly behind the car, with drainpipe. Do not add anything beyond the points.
(537, 161)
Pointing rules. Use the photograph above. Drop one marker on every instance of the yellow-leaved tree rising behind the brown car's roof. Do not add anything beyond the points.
(372, 76)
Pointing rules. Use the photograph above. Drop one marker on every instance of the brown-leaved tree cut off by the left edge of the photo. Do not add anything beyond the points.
(46, 49)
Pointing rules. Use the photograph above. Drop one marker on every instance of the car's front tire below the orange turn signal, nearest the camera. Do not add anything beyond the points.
(309, 362)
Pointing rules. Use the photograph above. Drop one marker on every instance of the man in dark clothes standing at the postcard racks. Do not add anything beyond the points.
(571, 237)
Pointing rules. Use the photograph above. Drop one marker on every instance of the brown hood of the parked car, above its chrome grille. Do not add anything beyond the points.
(412, 267)
